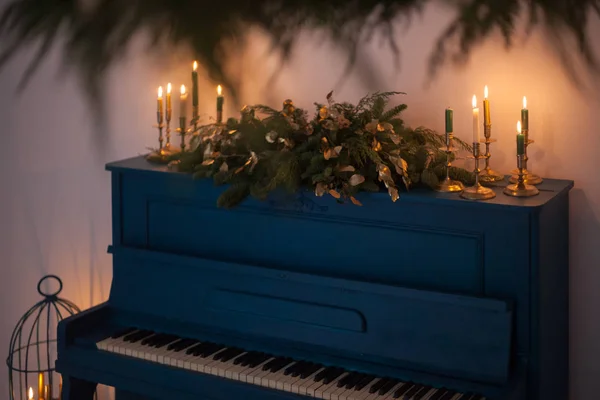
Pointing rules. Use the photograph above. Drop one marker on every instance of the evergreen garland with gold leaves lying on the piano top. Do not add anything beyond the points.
(342, 150)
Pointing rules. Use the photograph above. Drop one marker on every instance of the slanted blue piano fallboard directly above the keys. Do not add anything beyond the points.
(458, 336)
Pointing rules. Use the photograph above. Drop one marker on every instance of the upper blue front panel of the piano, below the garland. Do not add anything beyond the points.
(456, 248)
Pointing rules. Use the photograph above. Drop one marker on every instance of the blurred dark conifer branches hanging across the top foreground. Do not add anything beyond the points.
(98, 32)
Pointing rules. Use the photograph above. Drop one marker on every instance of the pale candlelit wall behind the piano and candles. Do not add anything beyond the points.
(55, 198)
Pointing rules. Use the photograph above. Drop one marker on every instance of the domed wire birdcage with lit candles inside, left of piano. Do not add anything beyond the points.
(32, 352)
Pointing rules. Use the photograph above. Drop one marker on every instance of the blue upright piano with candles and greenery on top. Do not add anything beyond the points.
(432, 297)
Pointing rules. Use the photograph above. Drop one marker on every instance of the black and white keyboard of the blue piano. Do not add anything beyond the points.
(270, 371)
